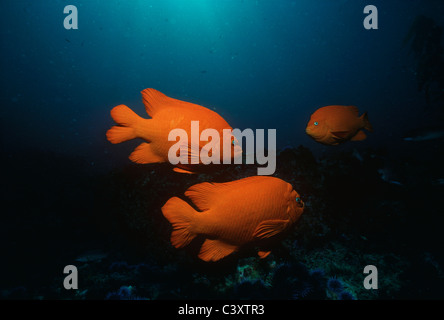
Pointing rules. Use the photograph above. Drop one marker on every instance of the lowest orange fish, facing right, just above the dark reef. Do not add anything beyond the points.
(233, 214)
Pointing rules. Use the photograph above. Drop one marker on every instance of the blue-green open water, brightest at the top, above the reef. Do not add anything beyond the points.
(260, 64)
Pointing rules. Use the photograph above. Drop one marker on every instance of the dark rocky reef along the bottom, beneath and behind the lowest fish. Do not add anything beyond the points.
(111, 228)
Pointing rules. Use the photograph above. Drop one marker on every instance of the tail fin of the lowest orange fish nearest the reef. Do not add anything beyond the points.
(182, 217)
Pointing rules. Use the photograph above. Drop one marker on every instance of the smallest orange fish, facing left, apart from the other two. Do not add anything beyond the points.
(333, 125)
